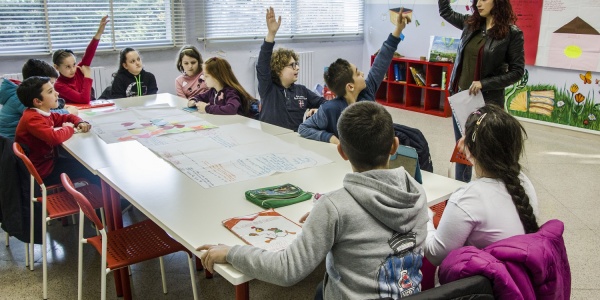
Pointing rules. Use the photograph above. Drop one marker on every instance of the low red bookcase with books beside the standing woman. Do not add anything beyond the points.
(400, 89)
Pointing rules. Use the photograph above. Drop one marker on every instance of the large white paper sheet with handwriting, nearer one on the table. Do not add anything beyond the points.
(231, 153)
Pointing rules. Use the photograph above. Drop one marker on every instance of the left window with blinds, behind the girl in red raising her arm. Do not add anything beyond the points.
(42, 26)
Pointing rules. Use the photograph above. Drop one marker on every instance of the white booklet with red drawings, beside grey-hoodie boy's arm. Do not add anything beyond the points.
(266, 230)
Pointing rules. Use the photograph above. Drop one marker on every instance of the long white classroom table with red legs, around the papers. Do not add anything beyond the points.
(194, 213)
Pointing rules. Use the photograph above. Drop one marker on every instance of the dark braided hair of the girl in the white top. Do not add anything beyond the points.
(495, 139)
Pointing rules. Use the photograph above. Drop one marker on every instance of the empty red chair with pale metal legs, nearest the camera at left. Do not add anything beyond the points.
(126, 246)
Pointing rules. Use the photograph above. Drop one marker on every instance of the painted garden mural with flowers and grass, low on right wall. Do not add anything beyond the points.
(561, 105)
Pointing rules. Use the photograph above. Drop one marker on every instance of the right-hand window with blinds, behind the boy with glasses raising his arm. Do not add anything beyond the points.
(235, 20)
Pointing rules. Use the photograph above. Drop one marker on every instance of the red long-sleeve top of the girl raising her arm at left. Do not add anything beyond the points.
(78, 89)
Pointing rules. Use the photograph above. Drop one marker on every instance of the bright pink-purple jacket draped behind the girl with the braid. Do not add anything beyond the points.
(529, 266)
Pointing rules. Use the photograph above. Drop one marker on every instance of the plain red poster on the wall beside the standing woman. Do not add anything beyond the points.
(529, 14)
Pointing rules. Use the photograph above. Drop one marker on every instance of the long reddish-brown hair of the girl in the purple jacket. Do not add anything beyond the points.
(221, 70)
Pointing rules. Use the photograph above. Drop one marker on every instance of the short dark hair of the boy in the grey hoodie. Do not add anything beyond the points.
(366, 134)
